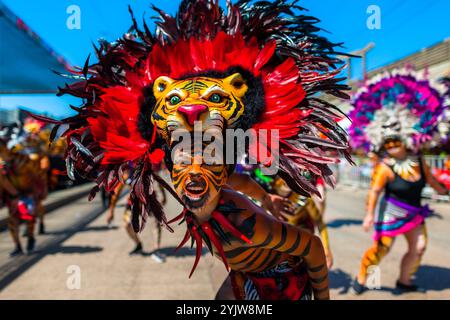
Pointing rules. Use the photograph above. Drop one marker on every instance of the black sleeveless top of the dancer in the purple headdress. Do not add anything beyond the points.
(406, 191)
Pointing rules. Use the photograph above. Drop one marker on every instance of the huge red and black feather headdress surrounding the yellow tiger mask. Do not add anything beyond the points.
(280, 49)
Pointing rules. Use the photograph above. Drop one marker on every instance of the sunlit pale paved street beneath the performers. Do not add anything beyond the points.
(78, 237)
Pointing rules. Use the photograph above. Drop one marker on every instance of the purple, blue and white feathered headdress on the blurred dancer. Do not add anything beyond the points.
(395, 105)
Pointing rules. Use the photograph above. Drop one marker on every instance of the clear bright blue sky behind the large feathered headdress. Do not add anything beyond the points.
(406, 26)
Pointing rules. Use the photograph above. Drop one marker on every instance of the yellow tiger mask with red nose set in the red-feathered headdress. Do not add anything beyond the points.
(181, 102)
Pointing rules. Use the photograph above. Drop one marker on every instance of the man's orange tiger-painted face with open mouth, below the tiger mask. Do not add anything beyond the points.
(196, 182)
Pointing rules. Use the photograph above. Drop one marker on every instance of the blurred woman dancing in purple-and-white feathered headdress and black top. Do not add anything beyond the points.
(405, 111)
